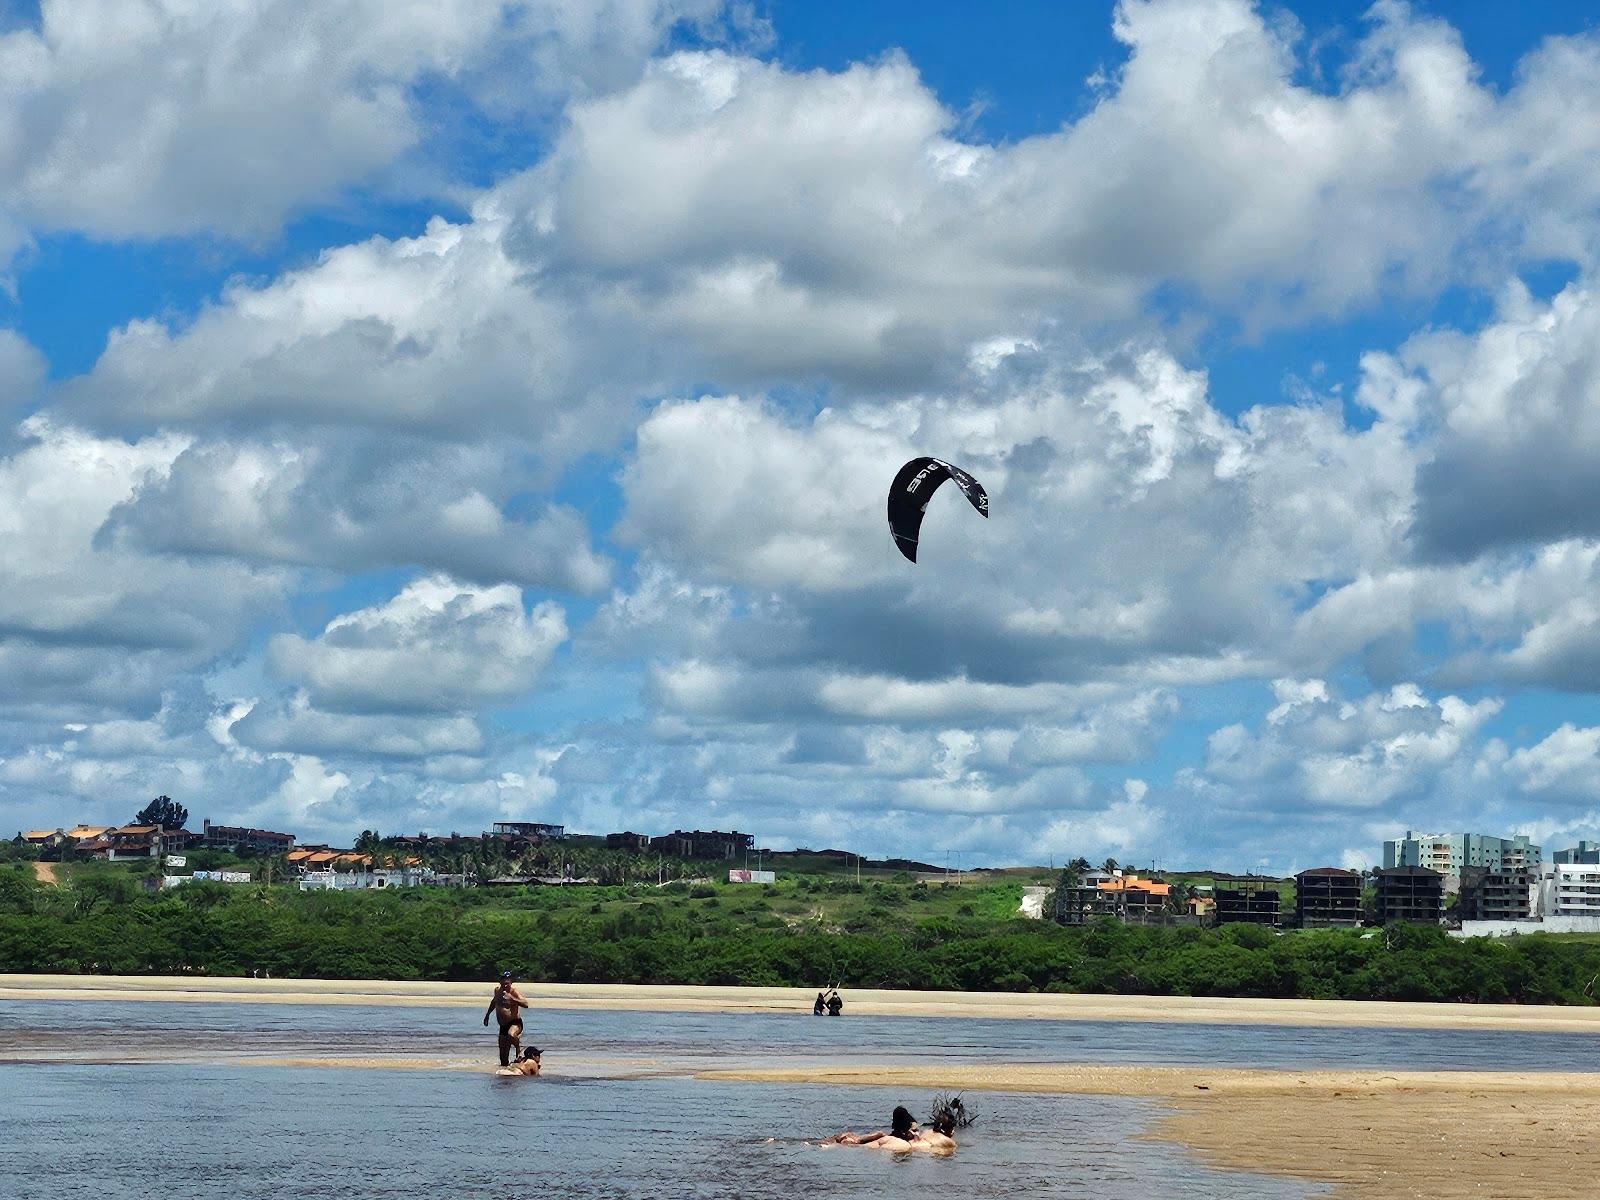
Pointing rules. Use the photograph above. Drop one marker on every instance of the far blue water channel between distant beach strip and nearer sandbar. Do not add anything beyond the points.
(689, 1041)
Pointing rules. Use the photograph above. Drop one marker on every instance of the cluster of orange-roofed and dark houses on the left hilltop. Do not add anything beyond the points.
(324, 868)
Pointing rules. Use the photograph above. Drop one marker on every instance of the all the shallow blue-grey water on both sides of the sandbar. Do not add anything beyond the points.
(618, 1114)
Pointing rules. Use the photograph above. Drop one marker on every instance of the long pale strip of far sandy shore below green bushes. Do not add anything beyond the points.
(1214, 1010)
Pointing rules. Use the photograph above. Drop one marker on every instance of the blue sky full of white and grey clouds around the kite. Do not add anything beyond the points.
(494, 422)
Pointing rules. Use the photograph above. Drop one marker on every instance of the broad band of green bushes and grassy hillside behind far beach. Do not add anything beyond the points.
(802, 932)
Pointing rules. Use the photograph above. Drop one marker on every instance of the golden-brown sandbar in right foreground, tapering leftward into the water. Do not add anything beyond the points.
(1370, 1134)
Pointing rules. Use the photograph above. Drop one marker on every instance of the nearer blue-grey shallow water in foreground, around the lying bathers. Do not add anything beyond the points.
(260, 1132)
